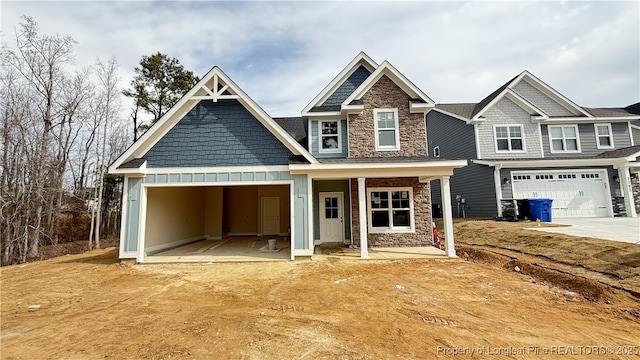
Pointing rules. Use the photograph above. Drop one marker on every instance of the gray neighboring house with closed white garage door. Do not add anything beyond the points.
(526, 140)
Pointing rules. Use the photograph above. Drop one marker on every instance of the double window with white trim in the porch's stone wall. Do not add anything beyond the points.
(390, 210)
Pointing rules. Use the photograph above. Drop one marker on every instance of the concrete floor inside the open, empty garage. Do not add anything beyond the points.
(234, 249)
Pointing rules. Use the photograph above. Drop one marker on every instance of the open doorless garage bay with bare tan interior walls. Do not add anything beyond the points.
(217, 223)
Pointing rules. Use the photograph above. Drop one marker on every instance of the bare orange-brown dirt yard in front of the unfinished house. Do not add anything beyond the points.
(91, 306)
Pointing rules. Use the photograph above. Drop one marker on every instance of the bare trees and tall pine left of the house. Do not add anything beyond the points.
(61, 126)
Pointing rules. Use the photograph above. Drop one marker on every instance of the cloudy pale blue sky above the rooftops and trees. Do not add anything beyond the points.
(282, 54)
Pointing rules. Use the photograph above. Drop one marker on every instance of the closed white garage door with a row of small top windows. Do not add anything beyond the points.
(581, 193)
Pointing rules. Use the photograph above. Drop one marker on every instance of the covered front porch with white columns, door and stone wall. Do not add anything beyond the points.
(381, 204)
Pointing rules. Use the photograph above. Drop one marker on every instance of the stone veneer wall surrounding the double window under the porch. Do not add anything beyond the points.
(421, 214)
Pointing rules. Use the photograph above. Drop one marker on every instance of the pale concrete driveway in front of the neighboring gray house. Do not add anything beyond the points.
(617, 229)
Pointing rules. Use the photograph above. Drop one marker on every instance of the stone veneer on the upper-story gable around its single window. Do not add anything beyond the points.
(386, 94)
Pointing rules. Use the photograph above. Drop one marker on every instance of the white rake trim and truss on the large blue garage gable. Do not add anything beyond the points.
(215, 85)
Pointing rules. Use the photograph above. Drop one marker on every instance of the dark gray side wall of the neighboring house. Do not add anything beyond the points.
(456, 140)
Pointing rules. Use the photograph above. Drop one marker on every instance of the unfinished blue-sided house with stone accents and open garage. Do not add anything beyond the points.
(352, 169)
